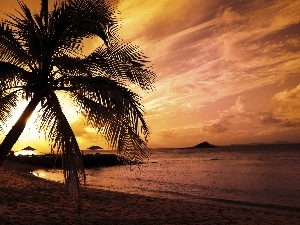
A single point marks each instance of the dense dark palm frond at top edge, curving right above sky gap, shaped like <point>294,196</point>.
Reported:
<point>73,20</point>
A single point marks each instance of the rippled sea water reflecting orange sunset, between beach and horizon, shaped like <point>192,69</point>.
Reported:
<point>246,174</point>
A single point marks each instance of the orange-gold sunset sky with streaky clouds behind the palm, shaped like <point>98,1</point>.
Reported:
<point>228,71</point>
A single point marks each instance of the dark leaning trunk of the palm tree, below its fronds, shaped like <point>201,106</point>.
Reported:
<point>16,131</point>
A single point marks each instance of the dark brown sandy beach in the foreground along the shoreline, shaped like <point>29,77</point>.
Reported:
<point>25,199</point>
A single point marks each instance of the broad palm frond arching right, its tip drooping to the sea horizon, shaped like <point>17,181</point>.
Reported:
<point>114,111</point>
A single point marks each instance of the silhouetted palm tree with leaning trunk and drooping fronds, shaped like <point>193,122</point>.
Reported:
<point>41,55</point>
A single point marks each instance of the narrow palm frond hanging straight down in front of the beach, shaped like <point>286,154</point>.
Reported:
<point>63,139</point>
